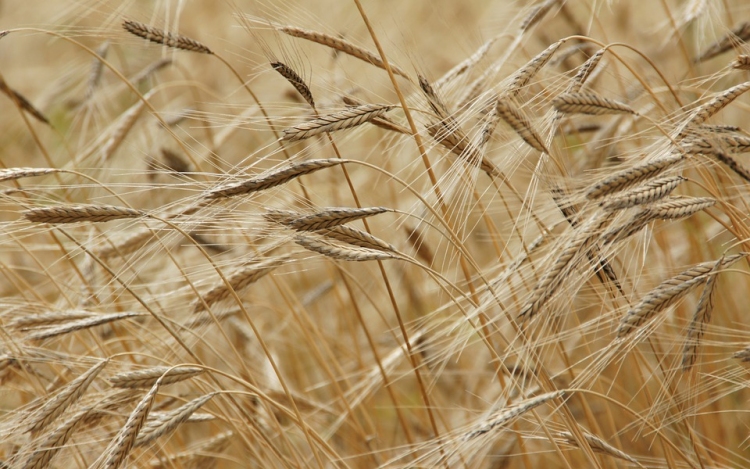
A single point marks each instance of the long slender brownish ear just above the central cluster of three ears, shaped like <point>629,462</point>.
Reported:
<point>273,178</point>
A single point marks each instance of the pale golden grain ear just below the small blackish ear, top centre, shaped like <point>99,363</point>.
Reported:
<point>346,119</point>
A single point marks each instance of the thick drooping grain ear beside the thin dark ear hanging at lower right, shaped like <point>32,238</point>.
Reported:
<point>669,292</point>
